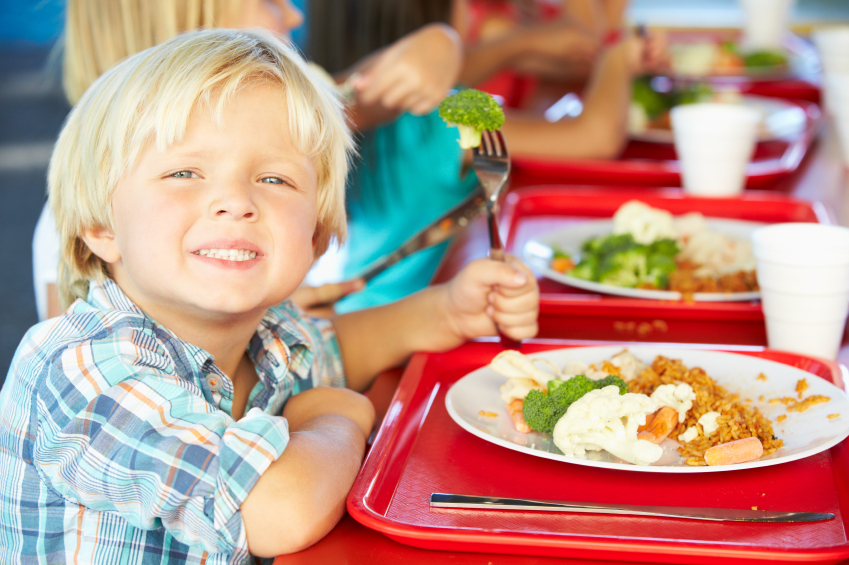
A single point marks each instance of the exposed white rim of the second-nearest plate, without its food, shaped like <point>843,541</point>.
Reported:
<point>537,254</point>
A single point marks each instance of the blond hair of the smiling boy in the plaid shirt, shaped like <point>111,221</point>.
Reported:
<point>149,98</point>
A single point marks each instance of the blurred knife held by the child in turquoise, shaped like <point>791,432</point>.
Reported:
<point>447,226</point>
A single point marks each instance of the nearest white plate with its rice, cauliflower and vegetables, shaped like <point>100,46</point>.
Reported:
<point>792,413</point>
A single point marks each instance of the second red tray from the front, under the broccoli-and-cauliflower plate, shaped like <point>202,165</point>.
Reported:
<point>572,313</point>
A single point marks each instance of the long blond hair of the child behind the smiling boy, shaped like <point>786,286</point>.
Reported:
<point>99,33</point>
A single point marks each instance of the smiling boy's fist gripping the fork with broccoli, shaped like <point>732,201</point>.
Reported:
<point>490,296</point>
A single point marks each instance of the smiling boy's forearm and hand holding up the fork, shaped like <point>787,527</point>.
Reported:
<point>483,298</point>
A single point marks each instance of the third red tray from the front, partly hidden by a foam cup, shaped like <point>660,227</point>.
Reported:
<point>655,164</point>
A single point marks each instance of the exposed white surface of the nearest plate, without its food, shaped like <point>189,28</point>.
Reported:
<point>804,434</point>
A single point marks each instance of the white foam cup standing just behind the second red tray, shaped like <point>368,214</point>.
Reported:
<point>714,143</point>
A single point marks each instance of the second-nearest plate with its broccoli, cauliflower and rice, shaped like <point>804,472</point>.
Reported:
<point>645,252</point>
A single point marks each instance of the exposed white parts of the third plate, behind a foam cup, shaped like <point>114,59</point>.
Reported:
<point>781,120</point>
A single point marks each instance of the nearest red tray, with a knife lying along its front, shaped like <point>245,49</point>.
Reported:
<point>420,450</point>
